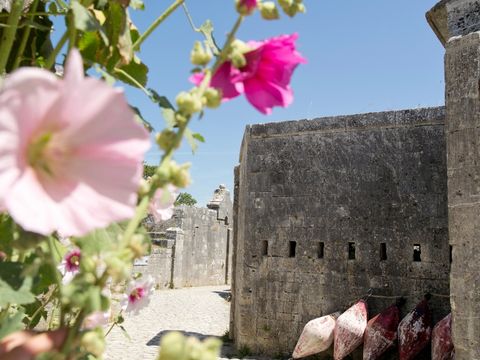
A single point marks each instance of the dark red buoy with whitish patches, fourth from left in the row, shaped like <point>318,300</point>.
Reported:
<point>414,331</point>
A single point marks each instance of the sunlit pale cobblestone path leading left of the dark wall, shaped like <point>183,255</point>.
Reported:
<point>200,311</point>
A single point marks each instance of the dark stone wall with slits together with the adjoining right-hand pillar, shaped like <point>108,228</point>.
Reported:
<point>328,210</point>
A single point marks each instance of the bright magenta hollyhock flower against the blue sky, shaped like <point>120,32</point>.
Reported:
<point>265,79</point>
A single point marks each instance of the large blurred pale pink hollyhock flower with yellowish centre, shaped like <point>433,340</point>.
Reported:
<point>71,151</point>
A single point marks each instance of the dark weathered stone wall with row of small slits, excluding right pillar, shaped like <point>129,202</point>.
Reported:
<point>328,209</point>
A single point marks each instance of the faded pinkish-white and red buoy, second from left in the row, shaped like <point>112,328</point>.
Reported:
<point>349,330</point>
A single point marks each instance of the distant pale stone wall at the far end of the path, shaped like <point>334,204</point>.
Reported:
<point>195,250</point>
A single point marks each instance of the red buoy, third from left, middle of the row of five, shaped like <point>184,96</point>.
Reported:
<point>381,333</point>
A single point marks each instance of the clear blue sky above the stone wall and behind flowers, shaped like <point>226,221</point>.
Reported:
<point>363,56</point>
